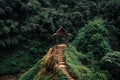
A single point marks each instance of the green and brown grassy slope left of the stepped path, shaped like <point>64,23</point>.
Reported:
<point>44,69</point>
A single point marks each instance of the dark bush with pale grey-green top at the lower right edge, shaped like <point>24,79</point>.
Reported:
<point>111,62</point>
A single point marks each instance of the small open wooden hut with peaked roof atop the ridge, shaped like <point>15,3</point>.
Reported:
<point>61,32</point>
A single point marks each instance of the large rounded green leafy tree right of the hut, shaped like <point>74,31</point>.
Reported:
<point>93,37</point>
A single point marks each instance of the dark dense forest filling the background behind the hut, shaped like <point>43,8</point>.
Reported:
<point>25,21</point>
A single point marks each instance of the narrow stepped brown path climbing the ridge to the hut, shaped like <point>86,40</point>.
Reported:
<point>62,63</point>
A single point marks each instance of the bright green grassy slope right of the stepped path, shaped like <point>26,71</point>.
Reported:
<point>78,70</point>
